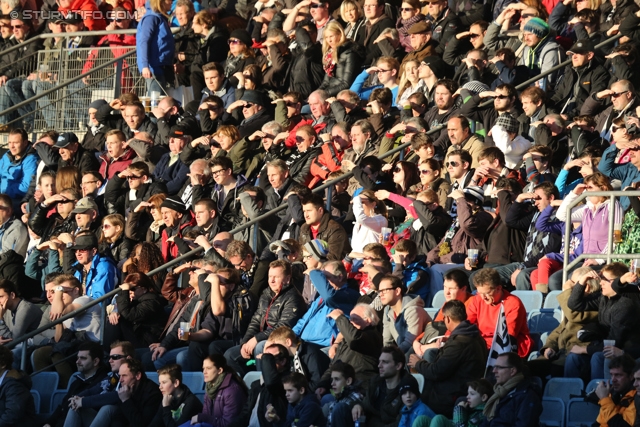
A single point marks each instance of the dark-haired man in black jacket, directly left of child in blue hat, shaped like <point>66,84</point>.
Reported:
<point>382,402</point>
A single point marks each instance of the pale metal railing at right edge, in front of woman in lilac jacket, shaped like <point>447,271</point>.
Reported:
<point>612,196</point>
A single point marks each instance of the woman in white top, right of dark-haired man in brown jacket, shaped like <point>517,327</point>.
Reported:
<point>371,217</point>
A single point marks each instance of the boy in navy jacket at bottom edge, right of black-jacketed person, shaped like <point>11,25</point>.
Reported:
<point>304,409</point>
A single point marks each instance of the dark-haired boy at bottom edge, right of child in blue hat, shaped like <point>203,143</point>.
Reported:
<point>469,412</point>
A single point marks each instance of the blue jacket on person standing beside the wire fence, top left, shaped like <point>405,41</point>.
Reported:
<point>154,42</point>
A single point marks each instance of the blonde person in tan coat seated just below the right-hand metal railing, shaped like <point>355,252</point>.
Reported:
<point>561,340</point>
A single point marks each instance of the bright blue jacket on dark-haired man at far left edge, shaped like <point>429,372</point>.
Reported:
<point>15,176</point>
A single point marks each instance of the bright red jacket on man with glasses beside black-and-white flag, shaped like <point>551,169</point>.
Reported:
<point>486,316</point>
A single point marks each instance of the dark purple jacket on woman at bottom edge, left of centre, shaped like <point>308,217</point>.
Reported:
<point>228,404</point>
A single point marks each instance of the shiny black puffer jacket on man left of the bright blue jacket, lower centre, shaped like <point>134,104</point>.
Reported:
<point>284,308</point>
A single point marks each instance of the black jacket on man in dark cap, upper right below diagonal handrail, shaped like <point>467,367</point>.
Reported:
<point>576,85</point>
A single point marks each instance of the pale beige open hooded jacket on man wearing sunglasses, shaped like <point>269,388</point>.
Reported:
<point>402,329</point>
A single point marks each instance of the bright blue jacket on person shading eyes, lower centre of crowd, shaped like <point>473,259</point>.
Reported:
<point>315,327</point>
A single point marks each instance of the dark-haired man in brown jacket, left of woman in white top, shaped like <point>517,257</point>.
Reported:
<point>319,225</point>
